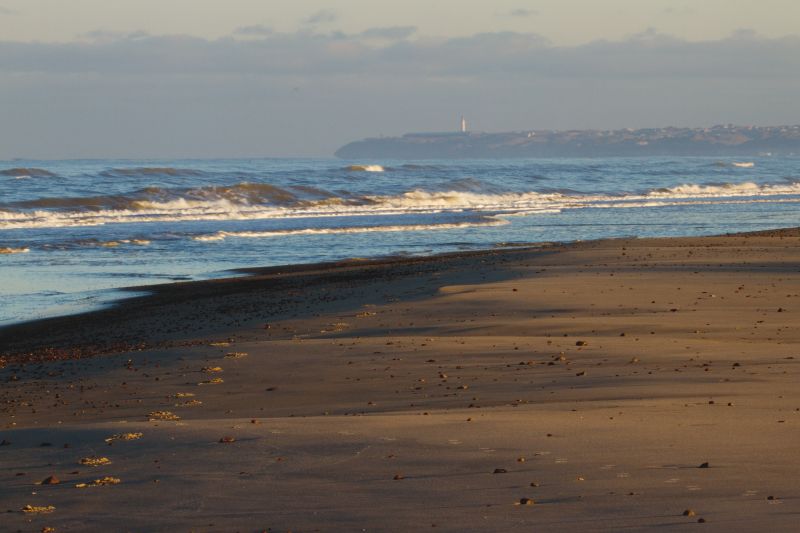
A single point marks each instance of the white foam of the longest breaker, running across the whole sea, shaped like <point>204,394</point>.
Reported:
<point>411,202</point>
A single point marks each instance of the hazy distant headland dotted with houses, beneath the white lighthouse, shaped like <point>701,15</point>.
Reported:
<point>715,141</point>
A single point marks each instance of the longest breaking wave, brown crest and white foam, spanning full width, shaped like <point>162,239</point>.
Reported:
<point>253,201</point>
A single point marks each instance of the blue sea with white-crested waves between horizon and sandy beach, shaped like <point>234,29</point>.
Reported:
<point>73,232</point>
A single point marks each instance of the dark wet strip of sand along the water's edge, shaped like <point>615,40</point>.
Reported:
<point>286,277</point>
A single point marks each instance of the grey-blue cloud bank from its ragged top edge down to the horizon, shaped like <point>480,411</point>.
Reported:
<point>260,92</point>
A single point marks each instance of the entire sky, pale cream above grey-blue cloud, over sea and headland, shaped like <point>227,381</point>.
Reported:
<point>253,78</point>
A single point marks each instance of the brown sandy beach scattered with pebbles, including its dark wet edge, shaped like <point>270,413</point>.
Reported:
<point>615,385</point>
